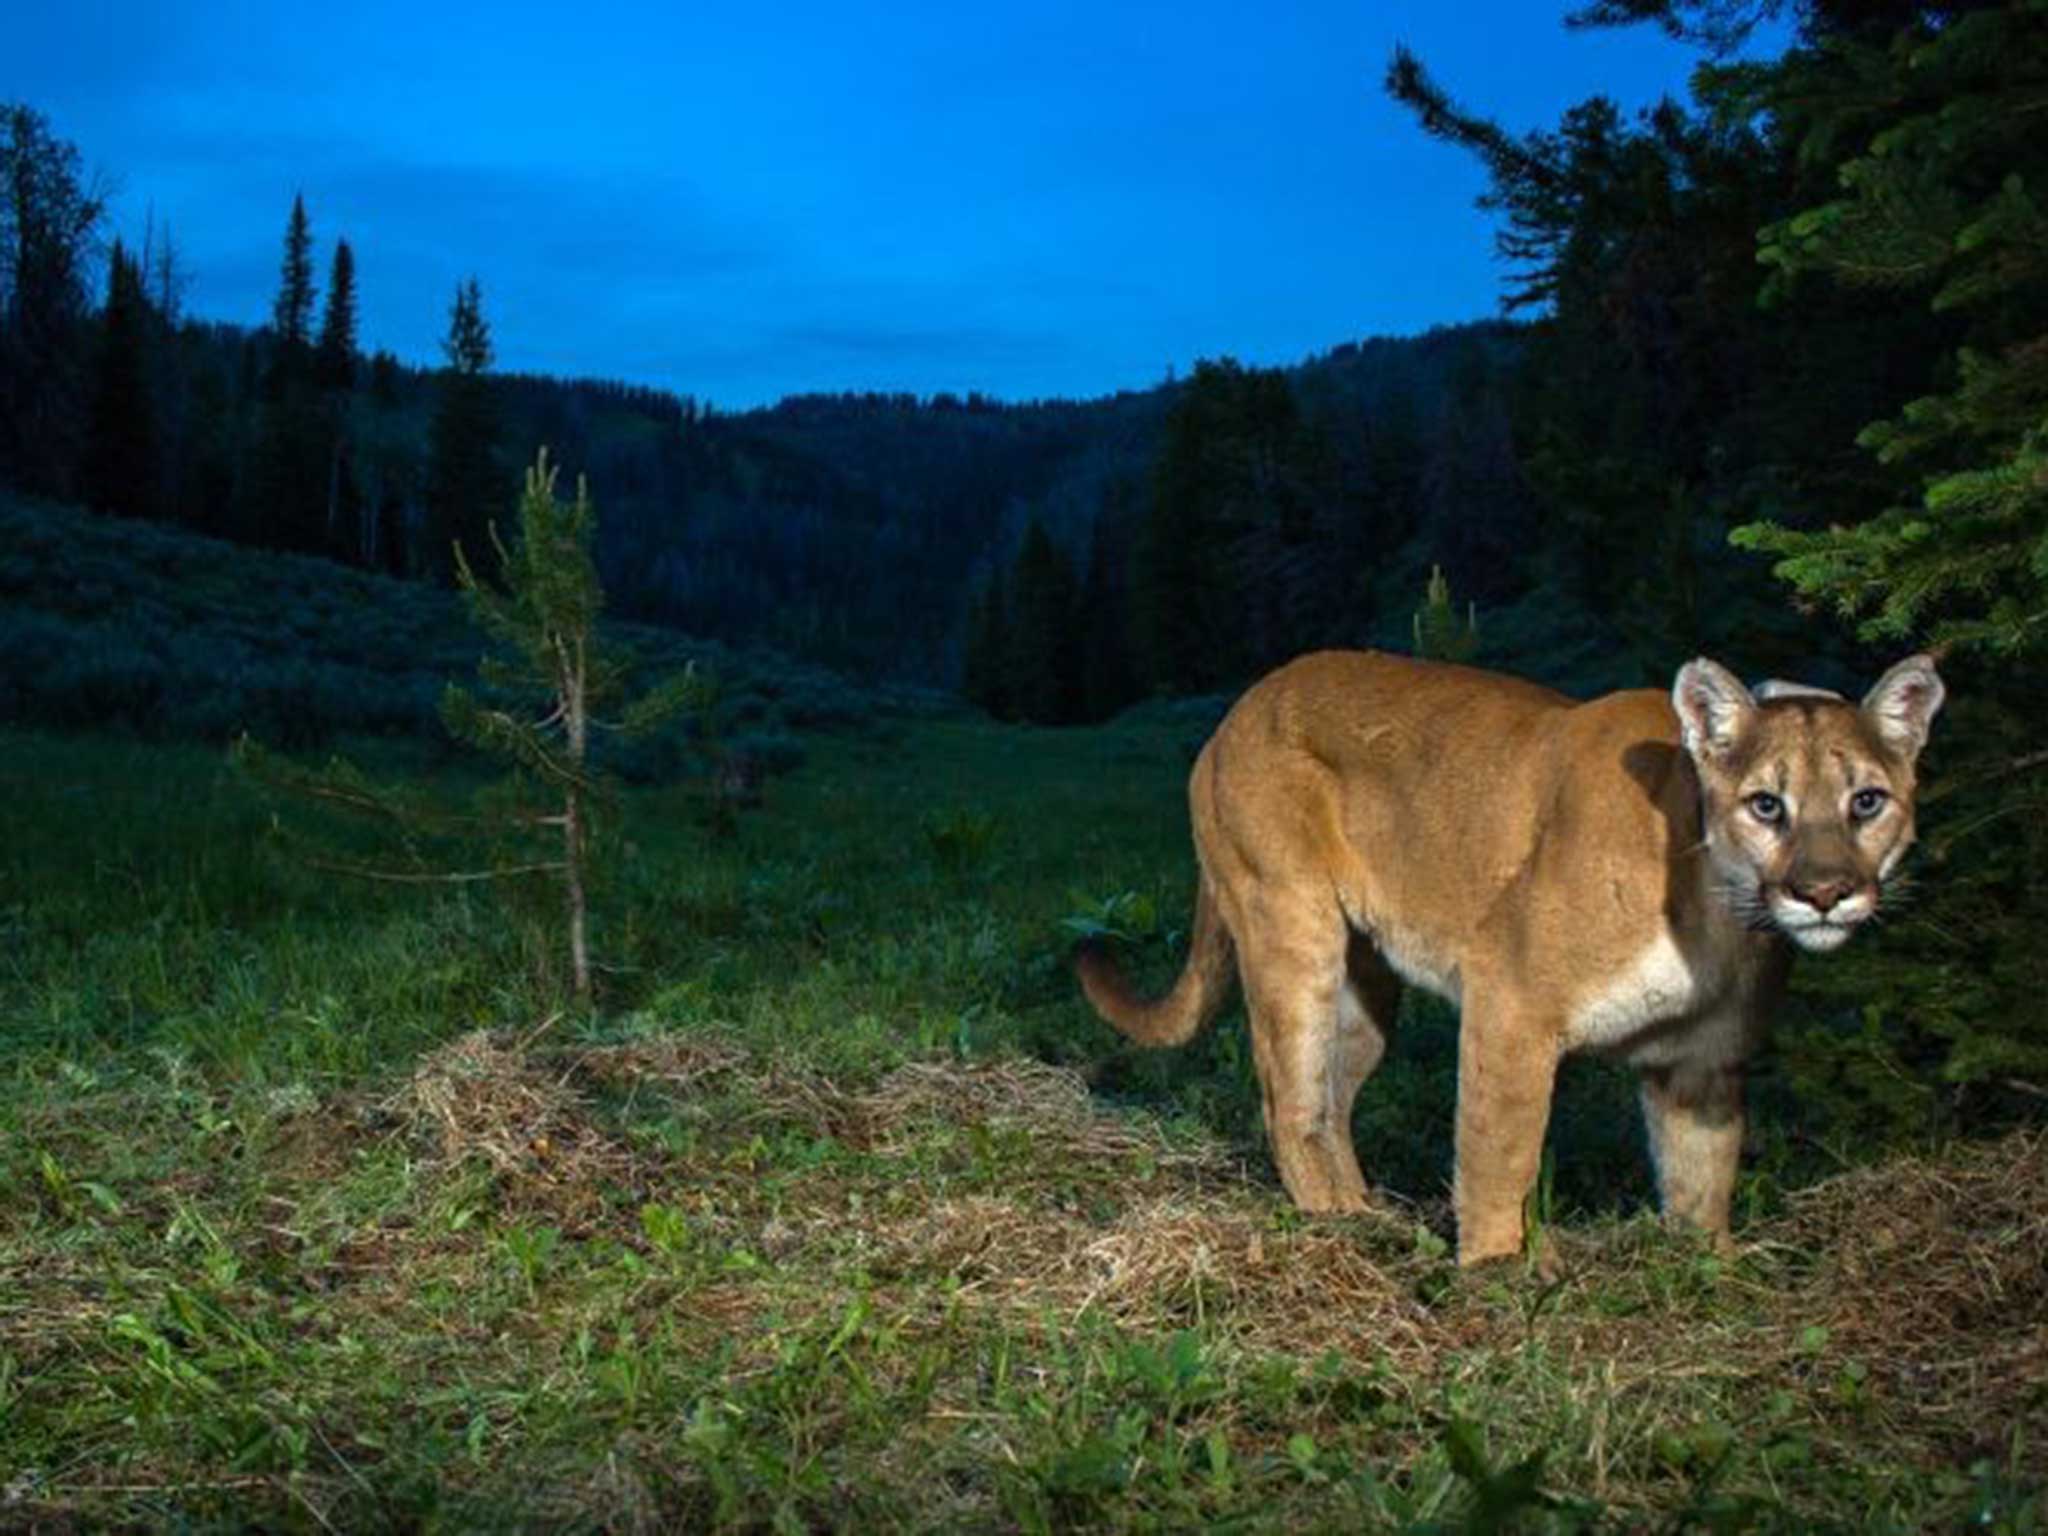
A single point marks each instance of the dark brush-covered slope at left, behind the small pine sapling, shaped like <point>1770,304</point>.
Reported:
<point>112,626</point>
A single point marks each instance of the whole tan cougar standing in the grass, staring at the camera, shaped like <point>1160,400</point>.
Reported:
<point>1576,876</point>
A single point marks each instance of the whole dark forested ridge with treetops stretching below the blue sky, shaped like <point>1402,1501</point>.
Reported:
<point>1205,527</point>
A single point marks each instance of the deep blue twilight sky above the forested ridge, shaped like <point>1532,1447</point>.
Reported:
<point>749,202</point>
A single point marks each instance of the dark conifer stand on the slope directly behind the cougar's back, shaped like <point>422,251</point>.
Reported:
<point>1273,511</point>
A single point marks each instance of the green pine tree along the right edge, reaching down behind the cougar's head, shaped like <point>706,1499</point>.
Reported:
<point>1914,146</point>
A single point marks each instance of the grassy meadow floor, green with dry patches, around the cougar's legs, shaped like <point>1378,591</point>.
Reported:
<point>318,1211</point>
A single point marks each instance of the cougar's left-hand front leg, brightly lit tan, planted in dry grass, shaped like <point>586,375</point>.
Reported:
<point>1506,1072</point>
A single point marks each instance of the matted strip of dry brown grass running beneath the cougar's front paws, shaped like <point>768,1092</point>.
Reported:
<point>1934,1271</point>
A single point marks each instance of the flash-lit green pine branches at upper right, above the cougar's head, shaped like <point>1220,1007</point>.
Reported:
<point>1940,179</point>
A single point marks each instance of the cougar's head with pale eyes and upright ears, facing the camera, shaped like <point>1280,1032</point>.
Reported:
<point>1807,798</point>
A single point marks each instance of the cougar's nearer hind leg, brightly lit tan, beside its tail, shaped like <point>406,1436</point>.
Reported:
<point>1293,966</point>
